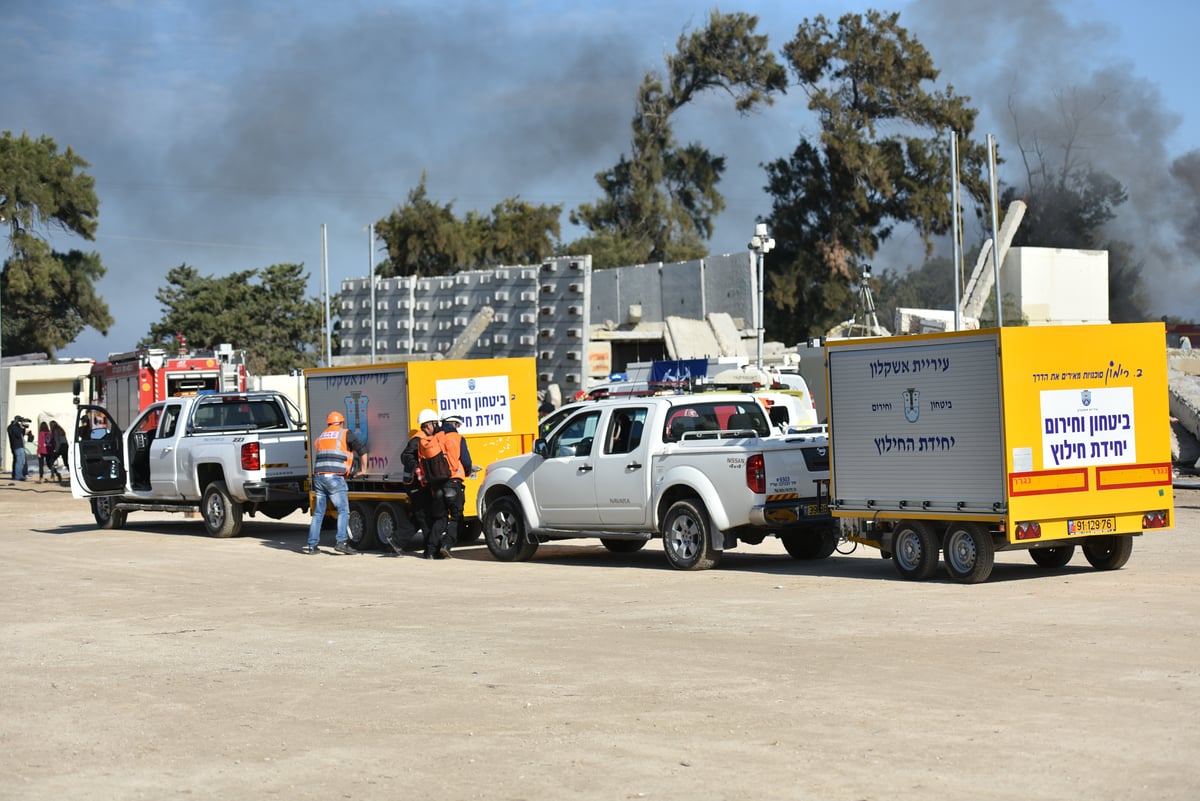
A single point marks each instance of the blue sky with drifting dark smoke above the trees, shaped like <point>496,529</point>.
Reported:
<point>225,134</point>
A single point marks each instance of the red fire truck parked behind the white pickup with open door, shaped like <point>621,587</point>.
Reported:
<point>129,383</point>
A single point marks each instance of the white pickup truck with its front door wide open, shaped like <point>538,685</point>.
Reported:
<point>223,455</point>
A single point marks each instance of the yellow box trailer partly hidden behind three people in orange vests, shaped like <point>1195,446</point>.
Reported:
<point>496,398</point>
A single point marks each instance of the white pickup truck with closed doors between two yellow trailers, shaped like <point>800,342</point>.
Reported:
<point>703,472</point>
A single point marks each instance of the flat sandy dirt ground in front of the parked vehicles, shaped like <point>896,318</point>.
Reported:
<point>155,663</point>
